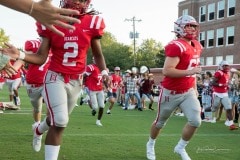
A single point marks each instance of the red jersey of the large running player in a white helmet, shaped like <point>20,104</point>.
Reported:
<point>189,56</point>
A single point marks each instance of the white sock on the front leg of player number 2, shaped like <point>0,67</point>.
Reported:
<point>51,152</point>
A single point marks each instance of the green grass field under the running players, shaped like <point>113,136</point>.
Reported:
<point>123,136</point>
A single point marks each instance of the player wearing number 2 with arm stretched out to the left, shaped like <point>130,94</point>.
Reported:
<point>63,79</point>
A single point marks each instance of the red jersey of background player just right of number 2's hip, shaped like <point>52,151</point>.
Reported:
<point>94,78</point>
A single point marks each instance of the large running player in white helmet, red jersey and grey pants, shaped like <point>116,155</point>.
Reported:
<point>179,85</point>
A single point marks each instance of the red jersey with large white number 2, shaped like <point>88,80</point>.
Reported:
<point>69,52</point>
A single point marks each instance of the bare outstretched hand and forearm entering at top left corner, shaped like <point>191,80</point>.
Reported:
<point>45,13</point>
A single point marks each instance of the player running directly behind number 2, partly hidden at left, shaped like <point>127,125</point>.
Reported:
<point>35,78</point>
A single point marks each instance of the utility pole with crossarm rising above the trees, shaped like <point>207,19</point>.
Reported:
<point>134,35</point>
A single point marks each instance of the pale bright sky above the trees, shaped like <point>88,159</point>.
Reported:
<point>156,20</point>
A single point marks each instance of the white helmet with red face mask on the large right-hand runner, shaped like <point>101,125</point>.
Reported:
<point>181,31</point>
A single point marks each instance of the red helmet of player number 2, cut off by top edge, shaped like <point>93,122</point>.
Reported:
<point>74,5</point>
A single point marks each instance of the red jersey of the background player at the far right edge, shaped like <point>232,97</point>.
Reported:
<point>223,78</point>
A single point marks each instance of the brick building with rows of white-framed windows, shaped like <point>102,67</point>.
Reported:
<point>219,28</point>
